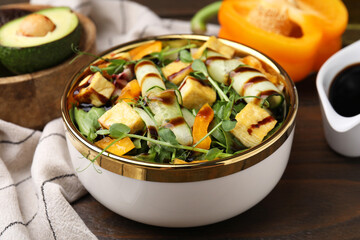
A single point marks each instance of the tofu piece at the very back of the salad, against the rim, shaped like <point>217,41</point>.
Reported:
<point>216,45</point>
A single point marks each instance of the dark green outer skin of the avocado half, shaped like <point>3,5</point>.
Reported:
<point>31,59</point>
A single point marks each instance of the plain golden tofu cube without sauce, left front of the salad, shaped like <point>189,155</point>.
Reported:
<point>122,113</point>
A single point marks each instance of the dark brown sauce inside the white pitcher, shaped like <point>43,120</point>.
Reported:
<point>344,93</point>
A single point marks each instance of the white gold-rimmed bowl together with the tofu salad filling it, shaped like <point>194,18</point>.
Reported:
<point>181,130</point>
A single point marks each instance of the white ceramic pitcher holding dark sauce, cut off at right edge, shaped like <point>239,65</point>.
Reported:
<point>341,133</point>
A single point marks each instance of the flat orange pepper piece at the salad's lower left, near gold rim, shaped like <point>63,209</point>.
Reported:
<point>119,148</point>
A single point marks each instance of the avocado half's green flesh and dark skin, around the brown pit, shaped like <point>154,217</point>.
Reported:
<point>25,54</point>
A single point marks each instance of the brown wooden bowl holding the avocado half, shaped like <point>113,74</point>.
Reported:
<point>32,100</point>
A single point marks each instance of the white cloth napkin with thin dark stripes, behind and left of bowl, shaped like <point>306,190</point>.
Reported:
<point>37,180</point>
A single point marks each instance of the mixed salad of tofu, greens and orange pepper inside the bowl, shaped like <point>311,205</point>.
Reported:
<point>178,104</point>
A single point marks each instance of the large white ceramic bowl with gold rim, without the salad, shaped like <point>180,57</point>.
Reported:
<point>190,194</point>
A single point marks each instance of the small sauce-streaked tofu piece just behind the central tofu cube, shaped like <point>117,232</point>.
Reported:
<point>176,71</point>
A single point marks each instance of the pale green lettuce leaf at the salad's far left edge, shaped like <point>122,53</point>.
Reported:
<point>87,121</point>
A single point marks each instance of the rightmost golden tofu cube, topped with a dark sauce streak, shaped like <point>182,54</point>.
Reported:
<point>253,124</point>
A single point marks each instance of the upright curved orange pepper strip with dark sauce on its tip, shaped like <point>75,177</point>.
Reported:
<point>201,124</point>
